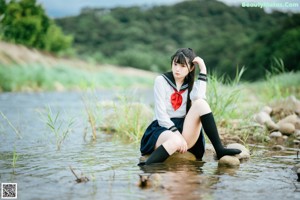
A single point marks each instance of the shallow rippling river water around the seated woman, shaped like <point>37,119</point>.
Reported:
<point>42,172</point>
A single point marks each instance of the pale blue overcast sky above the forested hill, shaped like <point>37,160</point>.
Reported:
<point>61,8</point>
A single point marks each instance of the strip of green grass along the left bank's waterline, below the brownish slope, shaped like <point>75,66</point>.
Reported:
<point>38,77</point>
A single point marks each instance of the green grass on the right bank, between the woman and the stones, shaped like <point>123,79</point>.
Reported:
<point>234,102</point>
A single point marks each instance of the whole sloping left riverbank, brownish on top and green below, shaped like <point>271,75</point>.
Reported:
<point>27,70</point>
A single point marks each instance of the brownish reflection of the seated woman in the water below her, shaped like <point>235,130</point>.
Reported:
<point>180,180</point>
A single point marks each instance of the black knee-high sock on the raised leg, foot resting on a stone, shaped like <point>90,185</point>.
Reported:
<point>210,128</point>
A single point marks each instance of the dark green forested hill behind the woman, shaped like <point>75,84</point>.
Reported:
<point>226,37</point>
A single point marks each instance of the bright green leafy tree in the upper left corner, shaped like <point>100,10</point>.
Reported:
<point>25,22</point>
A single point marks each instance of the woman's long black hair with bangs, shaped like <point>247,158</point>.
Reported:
<point>186,56</point>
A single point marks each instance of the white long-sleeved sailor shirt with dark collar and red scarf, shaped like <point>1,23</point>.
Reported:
<point>171,103</point>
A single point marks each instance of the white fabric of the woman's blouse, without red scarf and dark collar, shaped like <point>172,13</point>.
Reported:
<point>162,99</point>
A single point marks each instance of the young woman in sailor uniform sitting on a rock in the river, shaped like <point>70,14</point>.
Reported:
<point>180,113</point>
